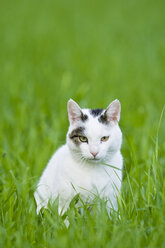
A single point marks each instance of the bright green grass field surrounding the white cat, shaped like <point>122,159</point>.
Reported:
<point>93,52</point>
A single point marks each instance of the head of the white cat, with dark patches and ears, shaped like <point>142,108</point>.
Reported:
<point>94,134</point>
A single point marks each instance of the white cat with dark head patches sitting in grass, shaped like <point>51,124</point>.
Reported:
<point>81,165</point>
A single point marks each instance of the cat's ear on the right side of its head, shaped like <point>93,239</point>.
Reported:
<point>112,113</point>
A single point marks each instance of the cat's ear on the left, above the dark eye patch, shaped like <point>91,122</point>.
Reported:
<point>74,111</point>
